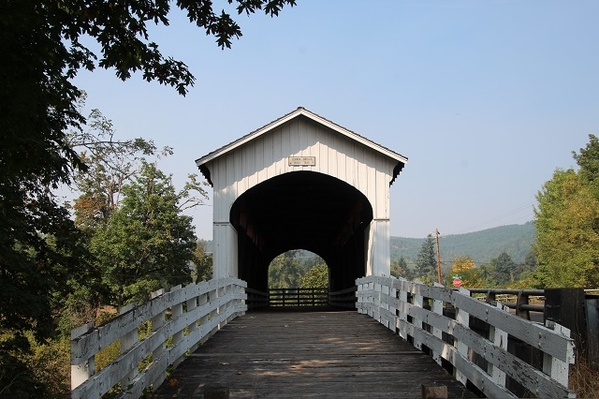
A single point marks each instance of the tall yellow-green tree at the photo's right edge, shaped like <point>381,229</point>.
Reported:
<point>567,221</point>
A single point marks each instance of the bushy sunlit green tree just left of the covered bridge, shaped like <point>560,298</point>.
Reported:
<point>148,244</point>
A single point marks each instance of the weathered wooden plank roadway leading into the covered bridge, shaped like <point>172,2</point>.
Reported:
<point>326,354</point>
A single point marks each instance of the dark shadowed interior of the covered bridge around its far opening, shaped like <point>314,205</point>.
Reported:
<point>306,210</point>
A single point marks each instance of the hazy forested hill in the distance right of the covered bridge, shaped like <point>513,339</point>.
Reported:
<point>482,246</point>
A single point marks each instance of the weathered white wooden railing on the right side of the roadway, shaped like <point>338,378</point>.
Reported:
<point>418,313</point>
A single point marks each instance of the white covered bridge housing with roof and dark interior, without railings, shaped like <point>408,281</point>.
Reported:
<point>301,182</point>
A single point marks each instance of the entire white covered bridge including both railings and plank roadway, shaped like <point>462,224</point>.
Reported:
<point>303,181</point>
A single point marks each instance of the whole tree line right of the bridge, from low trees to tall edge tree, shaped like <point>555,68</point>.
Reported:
<point>565,252</point>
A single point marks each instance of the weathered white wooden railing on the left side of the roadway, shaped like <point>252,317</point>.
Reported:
<point>180,320</point>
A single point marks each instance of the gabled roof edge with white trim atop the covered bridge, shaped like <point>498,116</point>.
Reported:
<point>300,111</point>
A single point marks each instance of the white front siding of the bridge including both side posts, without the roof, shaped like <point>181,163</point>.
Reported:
<point>266,156</point>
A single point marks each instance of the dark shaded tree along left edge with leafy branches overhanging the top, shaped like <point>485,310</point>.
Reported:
<point>44,44</point>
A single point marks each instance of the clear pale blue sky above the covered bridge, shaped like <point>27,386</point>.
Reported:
<point>485,98</point>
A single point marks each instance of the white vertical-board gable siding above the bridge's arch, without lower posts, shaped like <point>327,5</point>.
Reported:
<point>267,156</point>
